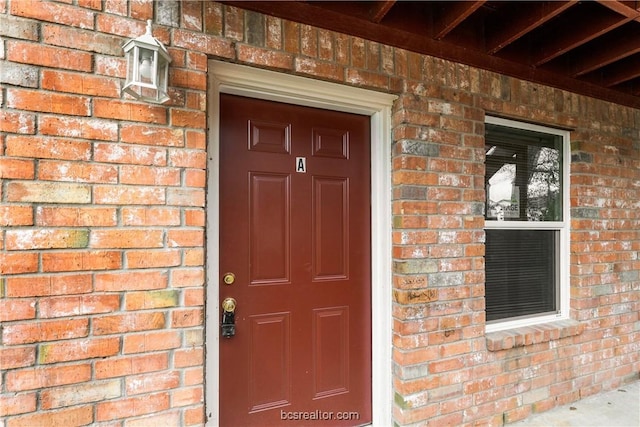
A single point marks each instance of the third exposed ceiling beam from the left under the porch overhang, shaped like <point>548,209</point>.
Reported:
<point>533,15</point>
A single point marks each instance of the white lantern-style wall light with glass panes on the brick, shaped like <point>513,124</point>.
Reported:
<point>147,68</point>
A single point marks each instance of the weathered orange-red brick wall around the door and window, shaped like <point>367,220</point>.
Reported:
<point>102,215</point>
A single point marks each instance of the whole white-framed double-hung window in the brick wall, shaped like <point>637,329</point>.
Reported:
<point>526,225</point>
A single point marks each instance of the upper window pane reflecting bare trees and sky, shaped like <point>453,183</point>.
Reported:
<point>523,175</point>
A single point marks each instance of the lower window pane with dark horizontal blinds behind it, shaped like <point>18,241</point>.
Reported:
<point>521,272</point>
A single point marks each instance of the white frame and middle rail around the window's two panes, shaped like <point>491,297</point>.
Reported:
<point>562,226</point>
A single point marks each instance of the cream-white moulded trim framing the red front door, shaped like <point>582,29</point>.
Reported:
<point>257,83</point>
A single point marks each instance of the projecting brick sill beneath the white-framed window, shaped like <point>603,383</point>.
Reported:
<point>535,334</point>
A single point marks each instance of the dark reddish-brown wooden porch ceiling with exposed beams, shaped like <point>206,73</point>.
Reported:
<point>587,47</point>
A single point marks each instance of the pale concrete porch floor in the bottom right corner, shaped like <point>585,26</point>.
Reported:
<point>619,407</point>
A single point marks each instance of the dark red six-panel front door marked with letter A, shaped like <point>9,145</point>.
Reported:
<point>295,234</point>
